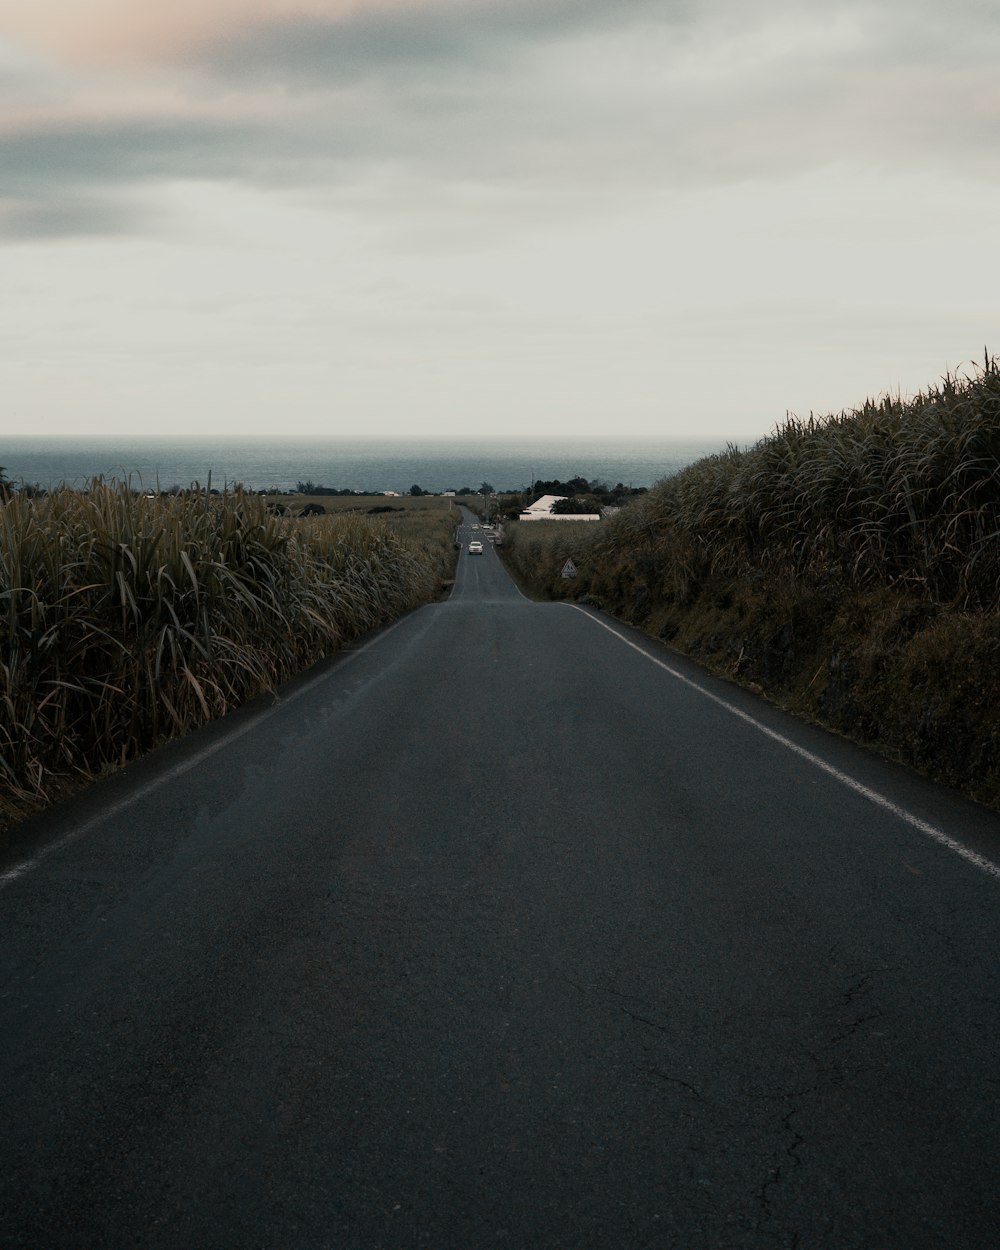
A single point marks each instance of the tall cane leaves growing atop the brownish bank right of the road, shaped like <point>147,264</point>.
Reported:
<point>898,493</point>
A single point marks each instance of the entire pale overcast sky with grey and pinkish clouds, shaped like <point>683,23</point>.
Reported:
<point>506,217</point>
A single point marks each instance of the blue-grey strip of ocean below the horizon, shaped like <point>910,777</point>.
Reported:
<point>438,464</point>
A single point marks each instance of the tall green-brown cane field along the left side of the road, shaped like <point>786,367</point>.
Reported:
<point>127,621</point>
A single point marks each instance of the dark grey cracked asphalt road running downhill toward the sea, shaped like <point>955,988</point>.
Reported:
<point>508,929</point>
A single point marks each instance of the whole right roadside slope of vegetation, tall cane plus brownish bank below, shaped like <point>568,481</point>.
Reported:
<point>848,567</point>
